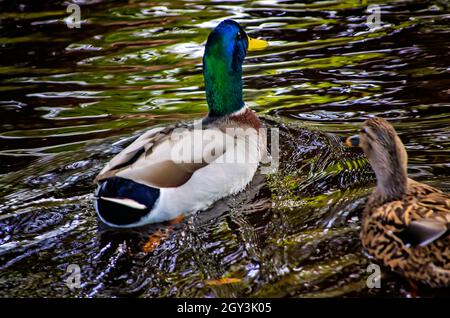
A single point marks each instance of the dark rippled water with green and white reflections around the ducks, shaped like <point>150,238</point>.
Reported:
<point>71,98</point>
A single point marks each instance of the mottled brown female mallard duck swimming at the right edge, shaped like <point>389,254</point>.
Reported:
<point>405,223</point>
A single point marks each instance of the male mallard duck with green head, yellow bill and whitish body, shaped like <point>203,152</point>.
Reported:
<point>168,172</point>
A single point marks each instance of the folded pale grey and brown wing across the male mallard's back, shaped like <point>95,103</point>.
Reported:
<point>166,157</point>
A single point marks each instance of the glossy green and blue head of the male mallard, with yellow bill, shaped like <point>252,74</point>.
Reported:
<point>225,51</point>
